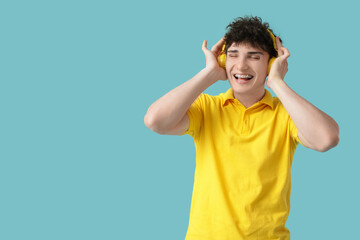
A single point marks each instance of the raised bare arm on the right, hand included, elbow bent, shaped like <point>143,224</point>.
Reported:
<point>316,129</point>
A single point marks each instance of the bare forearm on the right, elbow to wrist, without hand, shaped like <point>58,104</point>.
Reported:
<point>315,126</point>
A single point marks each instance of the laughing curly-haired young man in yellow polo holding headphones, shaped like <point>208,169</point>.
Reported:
<point>245,138</point>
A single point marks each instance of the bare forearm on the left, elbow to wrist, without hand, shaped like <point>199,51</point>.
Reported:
<point>168,110</point>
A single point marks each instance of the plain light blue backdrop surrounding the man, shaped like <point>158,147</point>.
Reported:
<point>77,77</point>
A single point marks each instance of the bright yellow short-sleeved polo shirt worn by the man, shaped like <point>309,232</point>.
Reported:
<point>242,177</point>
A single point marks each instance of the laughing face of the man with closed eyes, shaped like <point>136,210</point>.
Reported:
<point>246,68</point>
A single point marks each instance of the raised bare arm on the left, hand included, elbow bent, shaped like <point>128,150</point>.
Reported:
<point>168,114</point>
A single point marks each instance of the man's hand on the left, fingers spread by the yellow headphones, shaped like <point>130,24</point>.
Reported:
<point>212,56</point>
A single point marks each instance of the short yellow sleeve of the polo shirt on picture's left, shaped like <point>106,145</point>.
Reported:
<point>196,114</point>
